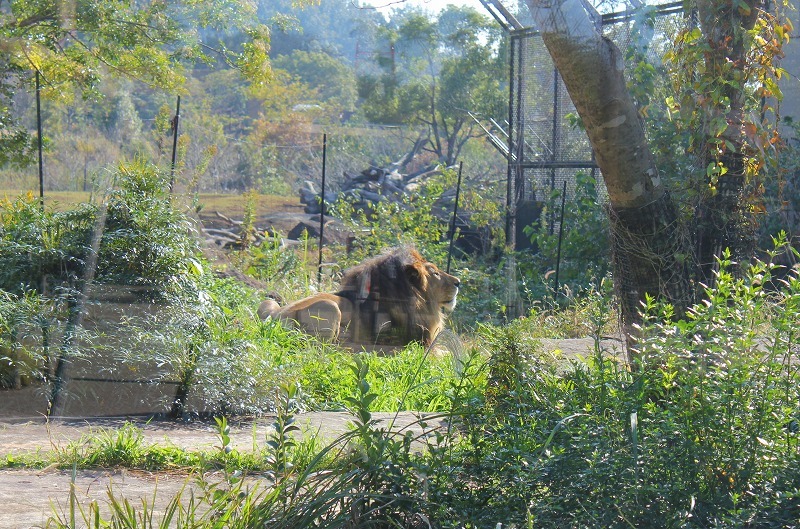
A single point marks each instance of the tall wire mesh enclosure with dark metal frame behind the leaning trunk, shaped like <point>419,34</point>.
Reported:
<point>546,146</point>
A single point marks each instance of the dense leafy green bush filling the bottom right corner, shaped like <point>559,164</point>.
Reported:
<point>702,434</point>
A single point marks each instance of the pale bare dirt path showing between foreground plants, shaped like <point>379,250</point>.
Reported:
<point>29,497</point>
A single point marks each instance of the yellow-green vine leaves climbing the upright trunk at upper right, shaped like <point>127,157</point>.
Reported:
<point>723,74</point>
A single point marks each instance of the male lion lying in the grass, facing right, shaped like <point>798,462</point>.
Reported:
<point>394,298</point>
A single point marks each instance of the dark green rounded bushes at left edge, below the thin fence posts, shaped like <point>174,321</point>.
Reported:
<point>143,239</point>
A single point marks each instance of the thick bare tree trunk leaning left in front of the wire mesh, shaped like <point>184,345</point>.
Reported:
<point>650,255</point>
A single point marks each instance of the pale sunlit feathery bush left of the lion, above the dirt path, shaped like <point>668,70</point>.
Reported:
<point>211,343</point>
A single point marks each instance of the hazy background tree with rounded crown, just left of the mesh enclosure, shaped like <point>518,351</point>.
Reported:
<point>441,69</point>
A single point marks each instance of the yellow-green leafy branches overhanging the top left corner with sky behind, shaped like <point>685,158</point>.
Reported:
<point>77,42</point>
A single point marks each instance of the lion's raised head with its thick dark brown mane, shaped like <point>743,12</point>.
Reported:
<point>399,294</point>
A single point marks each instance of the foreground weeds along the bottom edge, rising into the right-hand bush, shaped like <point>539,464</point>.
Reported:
<point>700,432</point>
